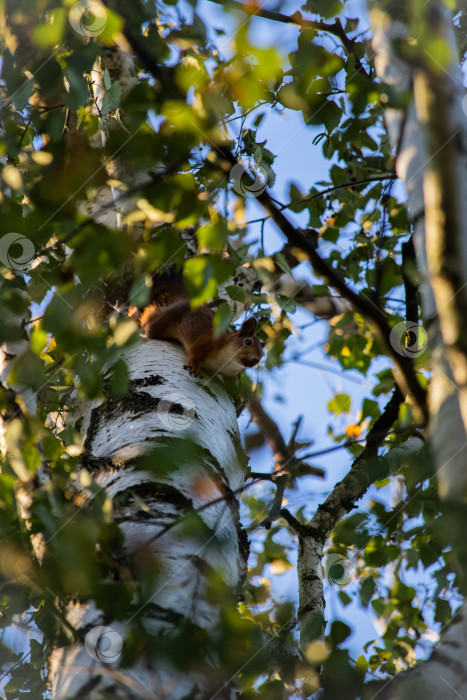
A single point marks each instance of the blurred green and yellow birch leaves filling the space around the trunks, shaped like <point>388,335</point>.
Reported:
<point>189,98</point>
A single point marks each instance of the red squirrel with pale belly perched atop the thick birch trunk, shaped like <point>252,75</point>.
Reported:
<point>170,317</point>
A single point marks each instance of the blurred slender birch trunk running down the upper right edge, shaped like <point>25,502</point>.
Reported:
<point>414,157</point>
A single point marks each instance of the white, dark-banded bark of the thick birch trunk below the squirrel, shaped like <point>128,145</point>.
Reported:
<point>164,402</point>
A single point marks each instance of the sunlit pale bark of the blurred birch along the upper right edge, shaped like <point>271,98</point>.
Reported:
<point>416,155</point>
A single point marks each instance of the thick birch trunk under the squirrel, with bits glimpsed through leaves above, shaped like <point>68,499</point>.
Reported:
<point>168,456</point>
